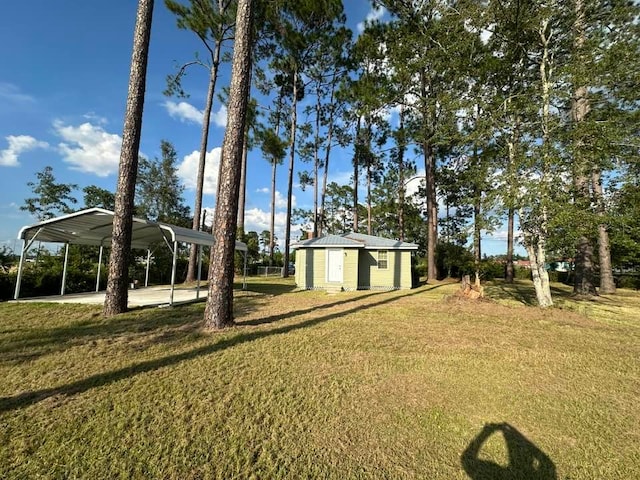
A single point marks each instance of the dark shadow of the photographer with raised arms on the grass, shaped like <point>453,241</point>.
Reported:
<point>526,461</point>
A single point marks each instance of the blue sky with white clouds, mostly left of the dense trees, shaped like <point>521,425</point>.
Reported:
<point>63,87</point>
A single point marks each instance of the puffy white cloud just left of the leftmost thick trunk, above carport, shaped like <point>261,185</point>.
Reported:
<point>89,148</point>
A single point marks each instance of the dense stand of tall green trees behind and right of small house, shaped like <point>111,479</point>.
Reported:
<point>516,113</point>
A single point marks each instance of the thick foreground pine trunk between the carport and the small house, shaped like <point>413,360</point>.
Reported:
<point>218,312</point>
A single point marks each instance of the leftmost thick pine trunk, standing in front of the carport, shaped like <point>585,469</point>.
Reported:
<point>116,296</point>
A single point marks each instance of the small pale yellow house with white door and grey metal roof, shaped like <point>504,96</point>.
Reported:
<point>353,261</point>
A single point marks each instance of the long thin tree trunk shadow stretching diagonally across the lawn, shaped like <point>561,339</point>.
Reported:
<point>29,398</point>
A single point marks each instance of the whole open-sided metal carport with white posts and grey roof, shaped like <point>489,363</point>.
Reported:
<point>93,227</point>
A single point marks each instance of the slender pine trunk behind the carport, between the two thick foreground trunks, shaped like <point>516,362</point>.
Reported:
<point>204,139</point>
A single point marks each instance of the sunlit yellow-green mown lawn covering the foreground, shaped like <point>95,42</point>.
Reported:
<point>355,385</point>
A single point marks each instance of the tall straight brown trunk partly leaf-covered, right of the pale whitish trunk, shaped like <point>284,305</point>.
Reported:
<point>583,281</point>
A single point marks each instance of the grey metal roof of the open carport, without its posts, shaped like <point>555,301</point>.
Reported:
<point>93,226</point>
